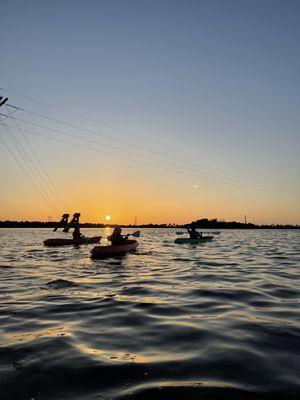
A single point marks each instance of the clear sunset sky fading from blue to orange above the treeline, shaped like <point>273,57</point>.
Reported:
<point>168,111</point>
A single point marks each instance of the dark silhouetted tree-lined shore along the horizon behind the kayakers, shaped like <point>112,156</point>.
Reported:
<point>200,224</point>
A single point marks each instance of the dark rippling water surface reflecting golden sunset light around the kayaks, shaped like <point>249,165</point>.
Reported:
<point>219,320</point>
